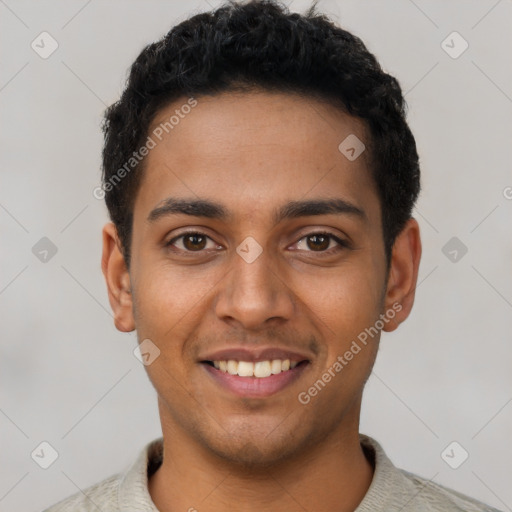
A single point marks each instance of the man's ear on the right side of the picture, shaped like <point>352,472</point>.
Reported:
<point>403,274</point>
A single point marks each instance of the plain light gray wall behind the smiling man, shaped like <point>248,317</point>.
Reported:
<point>69,378</point>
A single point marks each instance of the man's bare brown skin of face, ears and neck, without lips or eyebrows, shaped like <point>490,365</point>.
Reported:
<point>252,153</point>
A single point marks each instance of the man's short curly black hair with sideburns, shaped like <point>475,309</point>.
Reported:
<point>261,45</point>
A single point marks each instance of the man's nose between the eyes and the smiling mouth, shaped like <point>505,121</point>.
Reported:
<point>254,294</point>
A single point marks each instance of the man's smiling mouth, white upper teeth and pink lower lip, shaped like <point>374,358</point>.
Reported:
<point>254,379</point>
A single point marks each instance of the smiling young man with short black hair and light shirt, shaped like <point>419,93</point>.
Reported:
<point>260,177</point>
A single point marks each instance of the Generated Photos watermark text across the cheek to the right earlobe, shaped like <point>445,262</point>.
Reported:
<point>304,397</point>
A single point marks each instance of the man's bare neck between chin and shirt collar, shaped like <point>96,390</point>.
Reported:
<point>332,476</point>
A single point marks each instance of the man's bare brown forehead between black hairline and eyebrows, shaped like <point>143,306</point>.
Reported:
<point>253,152</point>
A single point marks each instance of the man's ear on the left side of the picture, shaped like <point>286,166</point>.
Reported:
<point>117,278</point>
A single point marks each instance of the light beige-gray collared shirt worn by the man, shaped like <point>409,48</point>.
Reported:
<point>391,490</point>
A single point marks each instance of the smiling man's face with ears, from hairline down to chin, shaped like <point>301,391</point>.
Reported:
<point>278,262</point>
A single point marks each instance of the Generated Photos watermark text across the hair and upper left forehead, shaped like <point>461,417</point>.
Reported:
<point>153,139</point>
